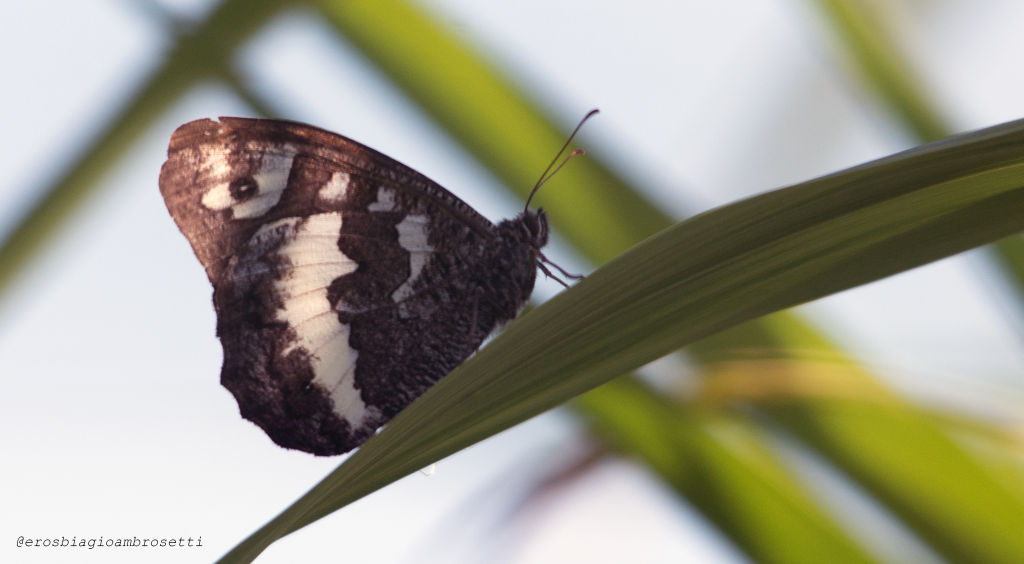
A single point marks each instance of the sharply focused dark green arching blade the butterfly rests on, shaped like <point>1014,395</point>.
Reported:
<point>700,277</point>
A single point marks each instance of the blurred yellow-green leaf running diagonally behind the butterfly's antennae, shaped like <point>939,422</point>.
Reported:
<point>494,120</point>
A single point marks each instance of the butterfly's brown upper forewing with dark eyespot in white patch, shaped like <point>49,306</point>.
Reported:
<point>224,161</point>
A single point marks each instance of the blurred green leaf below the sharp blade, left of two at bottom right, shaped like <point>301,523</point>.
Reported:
<point>711,457</point>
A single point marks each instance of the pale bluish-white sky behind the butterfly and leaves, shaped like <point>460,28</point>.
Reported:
<point>113,421</point>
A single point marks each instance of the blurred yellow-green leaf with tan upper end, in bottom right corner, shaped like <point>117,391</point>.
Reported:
<point>965,503</point>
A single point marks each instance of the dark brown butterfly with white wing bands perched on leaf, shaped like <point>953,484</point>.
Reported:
<point>346,283</point>
